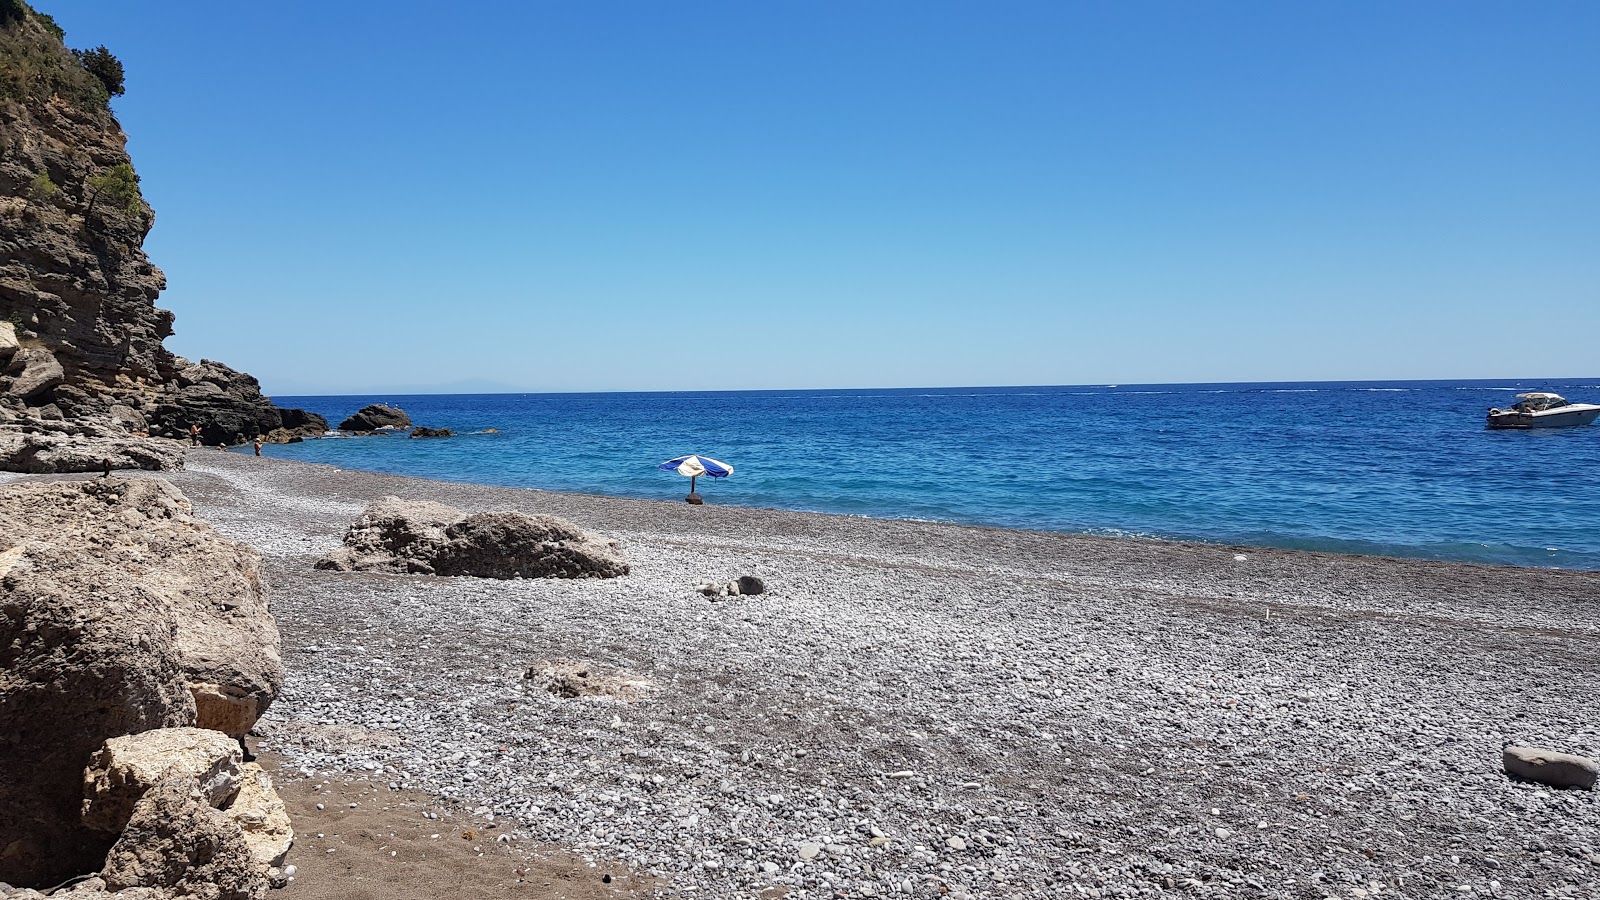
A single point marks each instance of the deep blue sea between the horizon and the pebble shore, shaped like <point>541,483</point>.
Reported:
<point>1401,468</point>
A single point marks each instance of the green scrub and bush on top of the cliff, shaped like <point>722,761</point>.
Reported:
<point>38,66</point>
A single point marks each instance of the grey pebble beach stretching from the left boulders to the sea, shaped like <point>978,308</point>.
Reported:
<point>927,710</point>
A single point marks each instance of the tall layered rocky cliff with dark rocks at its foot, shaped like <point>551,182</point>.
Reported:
<point>81,335</point>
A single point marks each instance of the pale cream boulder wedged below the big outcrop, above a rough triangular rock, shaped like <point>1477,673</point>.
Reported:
<point>127,768</point>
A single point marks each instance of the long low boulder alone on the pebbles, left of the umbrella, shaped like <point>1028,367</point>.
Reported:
<point>431,539</point>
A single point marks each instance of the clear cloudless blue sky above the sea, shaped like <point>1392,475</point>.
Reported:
<point>593,196</point>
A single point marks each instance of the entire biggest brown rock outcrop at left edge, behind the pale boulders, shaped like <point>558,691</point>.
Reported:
<point>118,611</point>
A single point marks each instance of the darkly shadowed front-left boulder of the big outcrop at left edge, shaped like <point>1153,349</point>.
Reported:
<point>87,654</point>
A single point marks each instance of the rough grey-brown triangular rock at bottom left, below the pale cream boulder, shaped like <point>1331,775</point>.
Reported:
<point>175,842</point>
